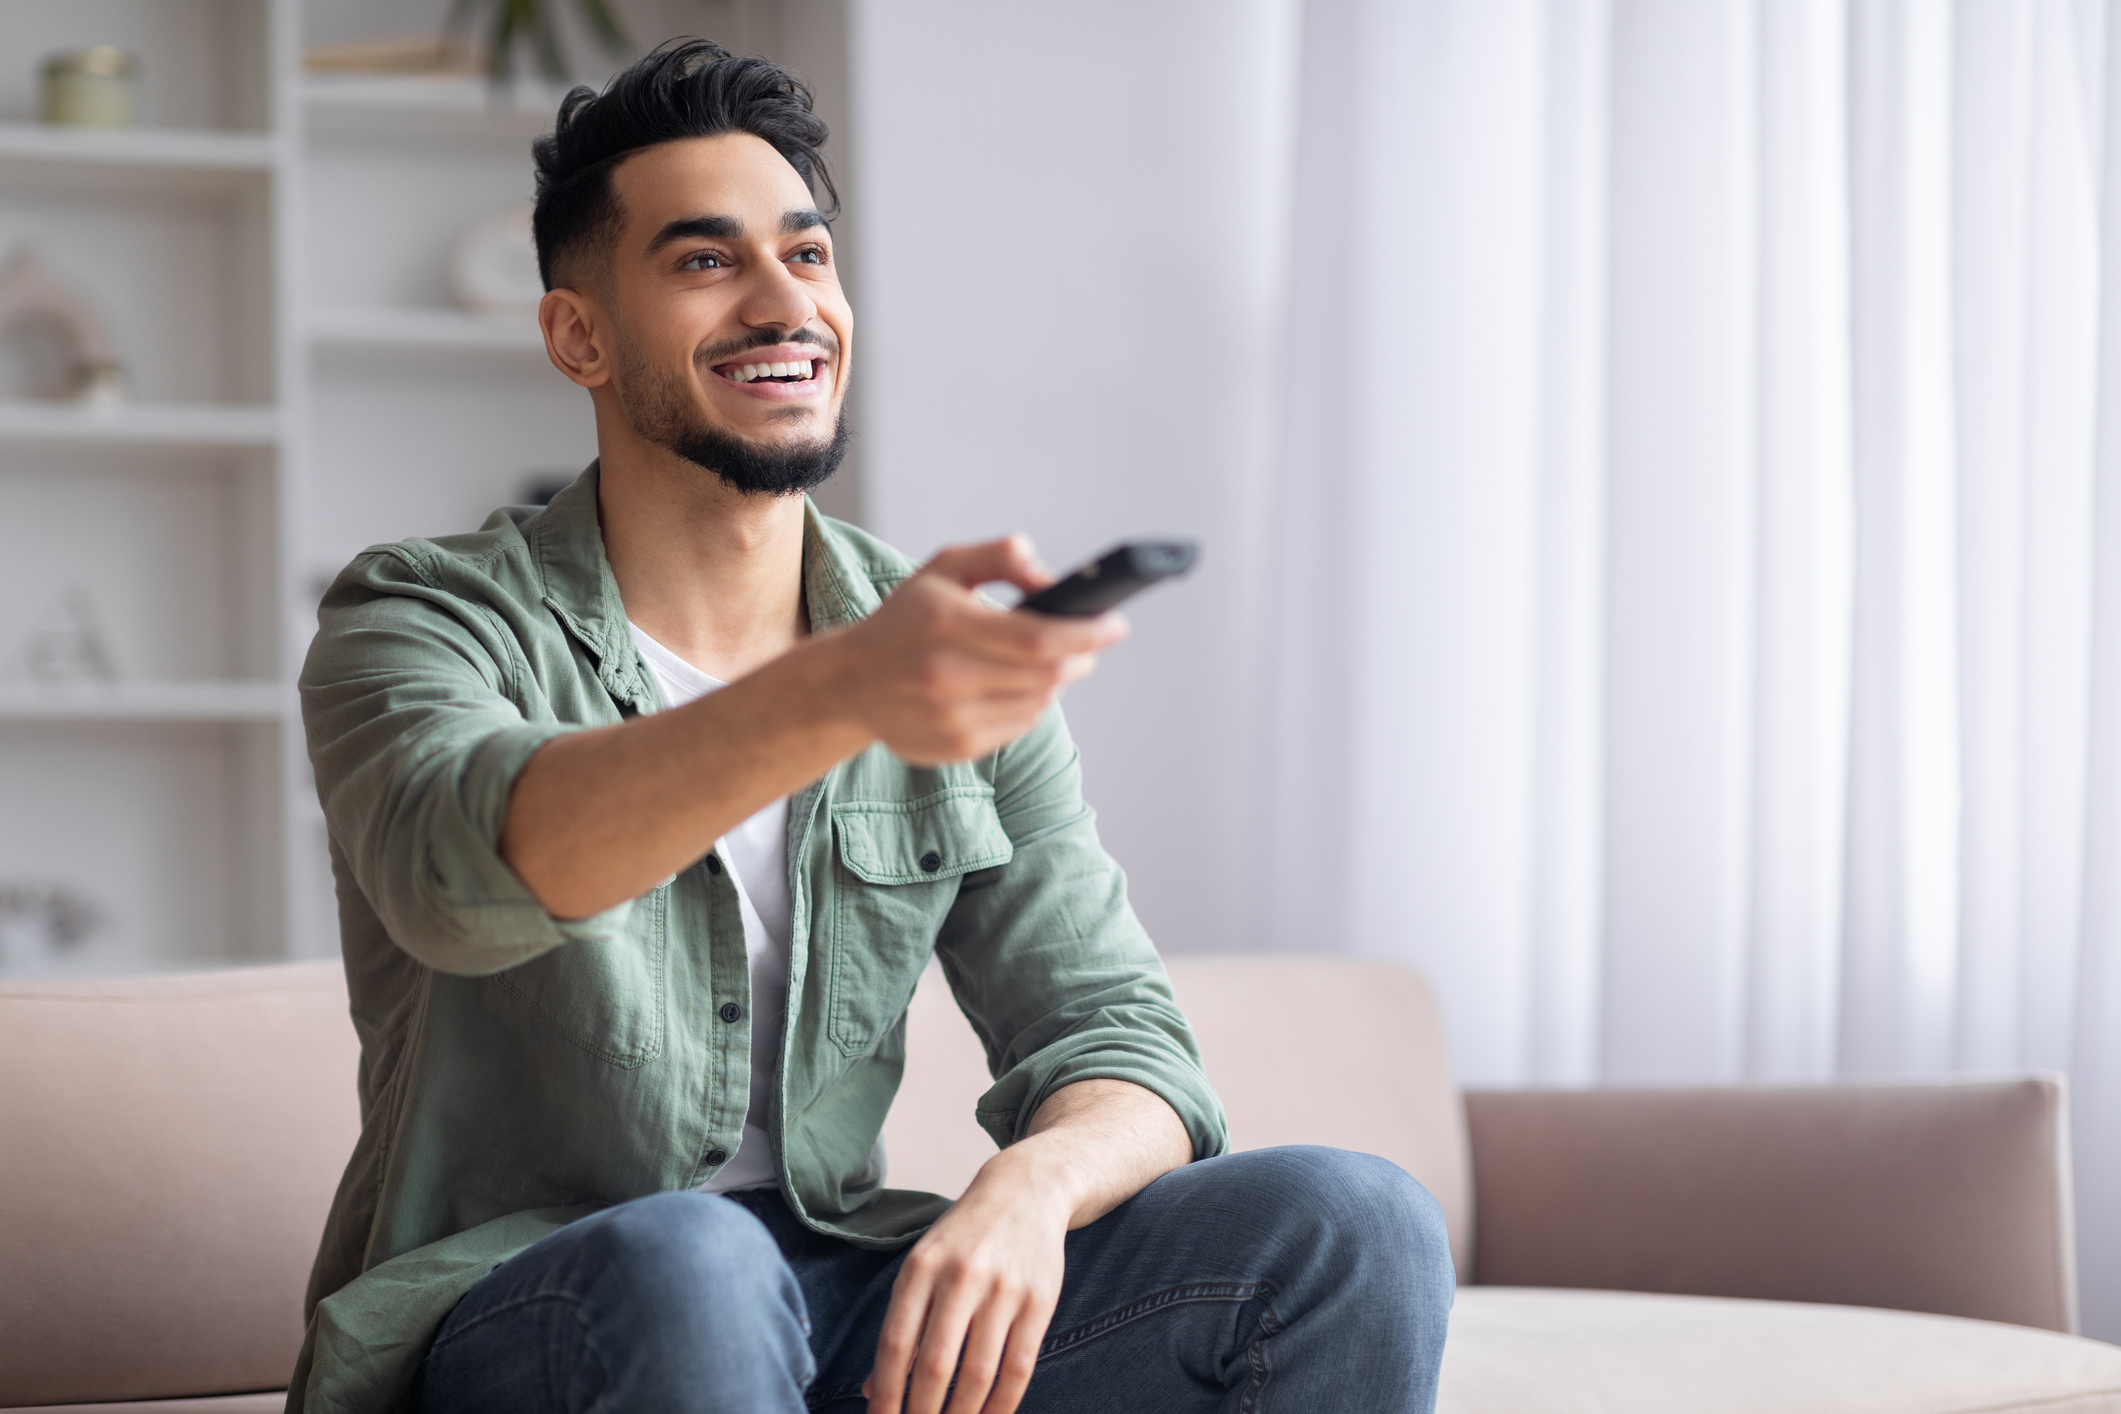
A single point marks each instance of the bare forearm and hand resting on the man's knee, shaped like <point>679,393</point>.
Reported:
<point>985,1279</point>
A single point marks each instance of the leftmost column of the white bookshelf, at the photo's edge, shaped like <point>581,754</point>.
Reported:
<point>162,798</point>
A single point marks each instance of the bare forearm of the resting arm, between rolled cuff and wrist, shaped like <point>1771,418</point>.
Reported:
<point>1093,1146</point>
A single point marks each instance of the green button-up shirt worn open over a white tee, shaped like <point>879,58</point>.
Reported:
<point>519,1072</point>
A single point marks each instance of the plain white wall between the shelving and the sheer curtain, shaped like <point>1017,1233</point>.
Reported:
<point>1070,264</point>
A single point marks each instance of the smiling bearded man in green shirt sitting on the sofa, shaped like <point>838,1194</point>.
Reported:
<point>648,813</point>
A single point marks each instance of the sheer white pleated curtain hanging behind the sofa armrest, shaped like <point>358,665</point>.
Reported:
<point>1700,578</point>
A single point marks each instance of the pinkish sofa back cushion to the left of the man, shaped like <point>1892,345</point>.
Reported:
<point>173,1146</point>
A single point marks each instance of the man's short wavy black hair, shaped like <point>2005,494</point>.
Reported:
<point>682,90</point>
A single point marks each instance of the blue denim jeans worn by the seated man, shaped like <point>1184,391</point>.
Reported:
<point>1280,1282</point>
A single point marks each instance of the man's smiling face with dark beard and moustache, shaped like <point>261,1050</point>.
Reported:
<point>735,332</point>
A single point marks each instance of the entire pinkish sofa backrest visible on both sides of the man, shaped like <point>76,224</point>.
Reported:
<point>169,1146</point>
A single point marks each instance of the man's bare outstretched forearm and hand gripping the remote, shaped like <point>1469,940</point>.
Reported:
<point>939,675</point>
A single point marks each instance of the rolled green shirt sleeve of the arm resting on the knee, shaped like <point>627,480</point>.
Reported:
<point>1051,966</point>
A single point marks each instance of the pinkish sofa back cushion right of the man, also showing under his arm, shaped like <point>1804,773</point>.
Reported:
<point>1301,1050</point>
